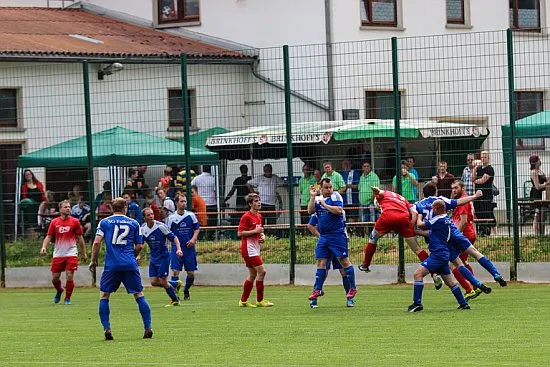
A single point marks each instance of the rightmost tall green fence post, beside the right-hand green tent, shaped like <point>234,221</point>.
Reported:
<point>514,173</point>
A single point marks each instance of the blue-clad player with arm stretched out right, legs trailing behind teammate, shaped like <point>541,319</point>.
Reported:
<point>458,241</point>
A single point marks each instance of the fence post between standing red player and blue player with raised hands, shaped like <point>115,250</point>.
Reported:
<point>289,159</point>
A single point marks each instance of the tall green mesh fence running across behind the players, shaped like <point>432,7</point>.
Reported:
<point>453,93</point>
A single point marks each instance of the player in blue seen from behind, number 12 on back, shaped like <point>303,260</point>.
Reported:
<point>123,242</point>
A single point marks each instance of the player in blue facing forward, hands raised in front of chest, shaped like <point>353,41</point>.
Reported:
<point>329,208</point>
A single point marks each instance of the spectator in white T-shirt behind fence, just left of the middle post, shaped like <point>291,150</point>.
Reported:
<point>266,186</point>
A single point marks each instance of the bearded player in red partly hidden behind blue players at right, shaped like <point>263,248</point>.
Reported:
<point>463,218</point>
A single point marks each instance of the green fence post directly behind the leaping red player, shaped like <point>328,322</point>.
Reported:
<point>397,129</point>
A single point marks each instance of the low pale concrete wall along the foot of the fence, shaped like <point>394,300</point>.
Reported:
<point>277,274</point>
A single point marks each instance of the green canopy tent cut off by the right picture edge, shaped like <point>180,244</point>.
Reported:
<point>534,126</point>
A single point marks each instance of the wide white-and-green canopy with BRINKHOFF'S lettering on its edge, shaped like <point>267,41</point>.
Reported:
<point>308,135</point>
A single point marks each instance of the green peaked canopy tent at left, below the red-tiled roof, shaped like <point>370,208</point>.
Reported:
<point>113,148</point>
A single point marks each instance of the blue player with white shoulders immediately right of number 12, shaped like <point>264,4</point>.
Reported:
<point>156,233</point>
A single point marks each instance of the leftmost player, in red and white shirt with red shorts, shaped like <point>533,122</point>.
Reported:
<point>67,231</point>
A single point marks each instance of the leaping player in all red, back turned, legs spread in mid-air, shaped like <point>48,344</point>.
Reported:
<point>395,217</point>
